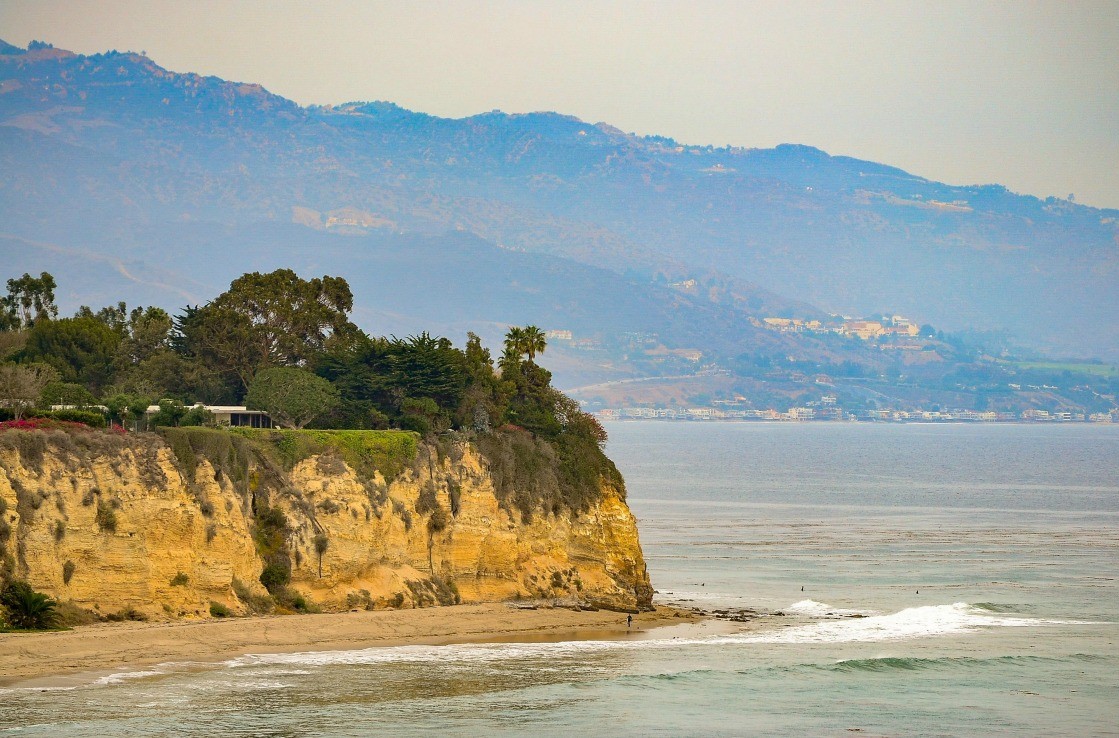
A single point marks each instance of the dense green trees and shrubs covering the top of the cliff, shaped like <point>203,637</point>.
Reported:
<point>286,345</point>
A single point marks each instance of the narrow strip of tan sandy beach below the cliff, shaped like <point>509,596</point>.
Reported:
<point>67,658</point>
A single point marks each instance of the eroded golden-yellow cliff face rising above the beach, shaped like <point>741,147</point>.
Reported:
<point>121,525</point>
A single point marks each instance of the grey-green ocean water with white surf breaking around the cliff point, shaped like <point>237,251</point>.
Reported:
<point>901,580</point>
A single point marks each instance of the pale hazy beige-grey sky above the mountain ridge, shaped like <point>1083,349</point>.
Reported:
<point>1026,94</point>
